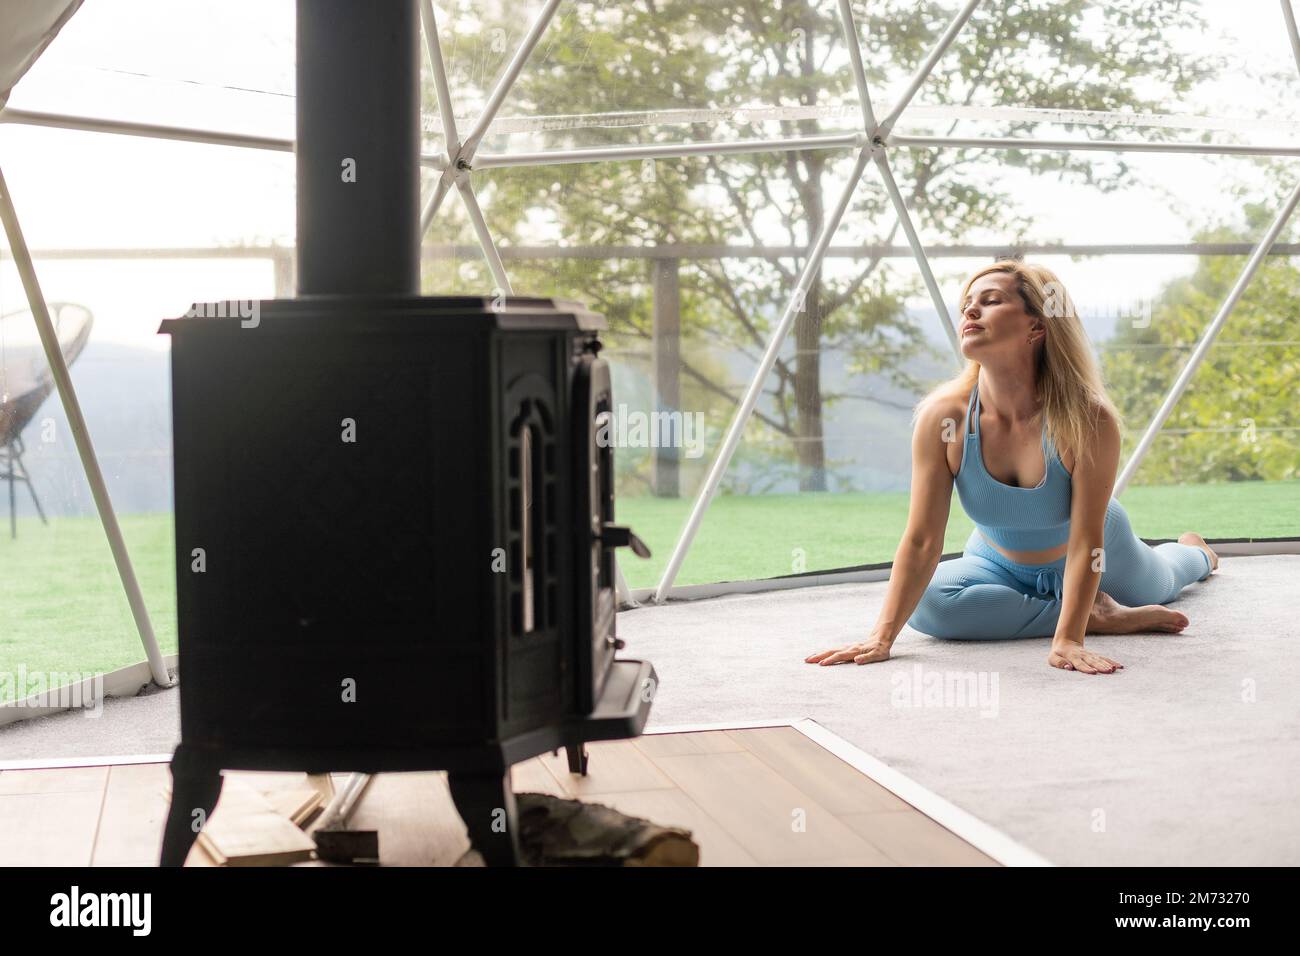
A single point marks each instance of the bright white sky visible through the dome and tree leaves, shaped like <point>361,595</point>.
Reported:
<point>229,66</point>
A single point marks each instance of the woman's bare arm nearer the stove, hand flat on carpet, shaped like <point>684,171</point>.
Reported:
<point>922,543</point>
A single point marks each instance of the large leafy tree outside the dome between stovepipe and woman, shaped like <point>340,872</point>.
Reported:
<point>653,54</point>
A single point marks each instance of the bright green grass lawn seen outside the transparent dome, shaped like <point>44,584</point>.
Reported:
<point>63,609</point>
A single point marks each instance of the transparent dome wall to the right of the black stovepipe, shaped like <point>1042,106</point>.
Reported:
<point>695,258</point>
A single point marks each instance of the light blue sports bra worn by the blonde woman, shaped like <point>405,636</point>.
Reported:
<point>1029,520</point>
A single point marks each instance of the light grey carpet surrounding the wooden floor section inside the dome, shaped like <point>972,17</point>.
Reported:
<point>1190,756</point>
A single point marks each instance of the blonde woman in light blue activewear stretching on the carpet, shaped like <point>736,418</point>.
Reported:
<point>1030,439</point>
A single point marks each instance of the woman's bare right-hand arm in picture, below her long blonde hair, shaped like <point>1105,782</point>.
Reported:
<point>1091,485</point>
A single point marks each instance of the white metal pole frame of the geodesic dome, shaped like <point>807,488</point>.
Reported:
<point>37,21</point>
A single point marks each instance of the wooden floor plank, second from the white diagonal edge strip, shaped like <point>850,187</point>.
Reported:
<point>770,817</point>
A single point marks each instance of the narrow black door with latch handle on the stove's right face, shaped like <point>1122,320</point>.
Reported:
<point>593,491</point>
